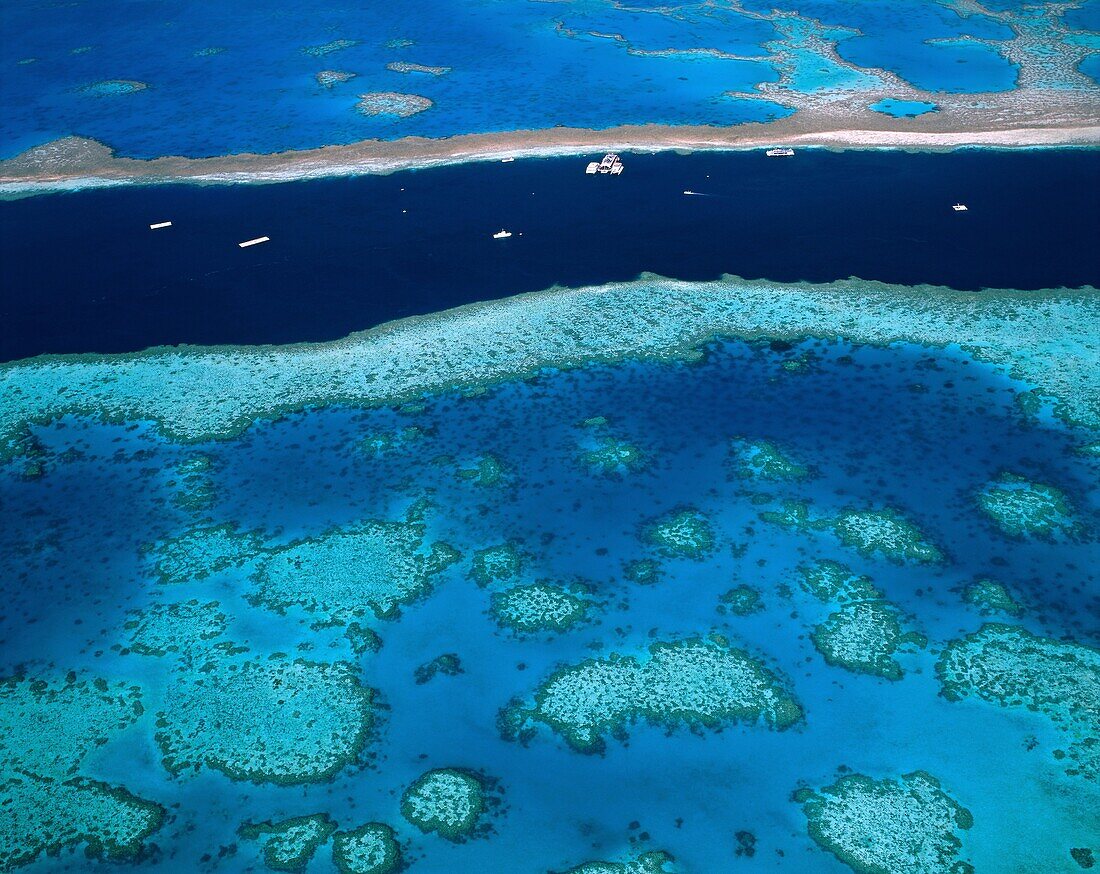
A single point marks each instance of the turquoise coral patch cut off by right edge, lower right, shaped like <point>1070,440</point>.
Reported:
<point>1013,668</point>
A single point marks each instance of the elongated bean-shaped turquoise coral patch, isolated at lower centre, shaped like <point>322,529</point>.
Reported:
<point>692,682</point>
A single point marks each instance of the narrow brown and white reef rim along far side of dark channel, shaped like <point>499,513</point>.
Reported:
<point>78,163</point>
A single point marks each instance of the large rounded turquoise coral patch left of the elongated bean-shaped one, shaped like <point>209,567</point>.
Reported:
<point>269,722</point>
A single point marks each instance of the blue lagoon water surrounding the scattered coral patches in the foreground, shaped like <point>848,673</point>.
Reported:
<point>915,429</point>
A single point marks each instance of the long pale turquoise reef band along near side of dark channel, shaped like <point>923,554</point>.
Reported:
<point>193,395</point>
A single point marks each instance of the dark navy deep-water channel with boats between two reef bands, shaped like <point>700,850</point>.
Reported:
<point>83,272</point>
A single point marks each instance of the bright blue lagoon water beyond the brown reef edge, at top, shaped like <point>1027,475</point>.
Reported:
<point>166,78</point>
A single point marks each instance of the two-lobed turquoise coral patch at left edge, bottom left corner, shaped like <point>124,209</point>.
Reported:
<point>48,728</point>
